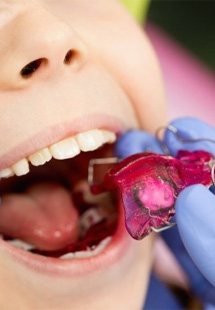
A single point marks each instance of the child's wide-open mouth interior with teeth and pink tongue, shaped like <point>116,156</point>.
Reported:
<point>47,208</point>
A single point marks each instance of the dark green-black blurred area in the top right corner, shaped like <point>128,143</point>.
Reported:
<point>191,22</point>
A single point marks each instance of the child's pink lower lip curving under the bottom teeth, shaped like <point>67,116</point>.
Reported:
<point>118,248</point>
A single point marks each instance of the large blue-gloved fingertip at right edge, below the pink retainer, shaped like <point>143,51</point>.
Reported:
<point>195,217</point>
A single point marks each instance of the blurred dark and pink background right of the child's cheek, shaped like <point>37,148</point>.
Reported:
<point>183,35</point>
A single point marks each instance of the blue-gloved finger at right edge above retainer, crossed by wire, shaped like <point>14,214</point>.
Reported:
<point>189,128</point>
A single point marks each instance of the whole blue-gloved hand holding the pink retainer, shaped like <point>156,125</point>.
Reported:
<point>194,207</point>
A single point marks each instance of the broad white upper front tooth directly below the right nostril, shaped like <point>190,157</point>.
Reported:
<point>64,149</point>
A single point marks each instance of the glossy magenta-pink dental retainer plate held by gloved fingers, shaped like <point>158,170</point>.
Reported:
<point>150,183</point>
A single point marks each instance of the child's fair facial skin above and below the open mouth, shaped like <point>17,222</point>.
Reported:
<point>113,72</point>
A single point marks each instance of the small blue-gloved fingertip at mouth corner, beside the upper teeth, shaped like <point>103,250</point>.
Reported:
<point>136,141</point>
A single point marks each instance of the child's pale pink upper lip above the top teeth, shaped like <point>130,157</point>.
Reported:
<point>57,133</point>
